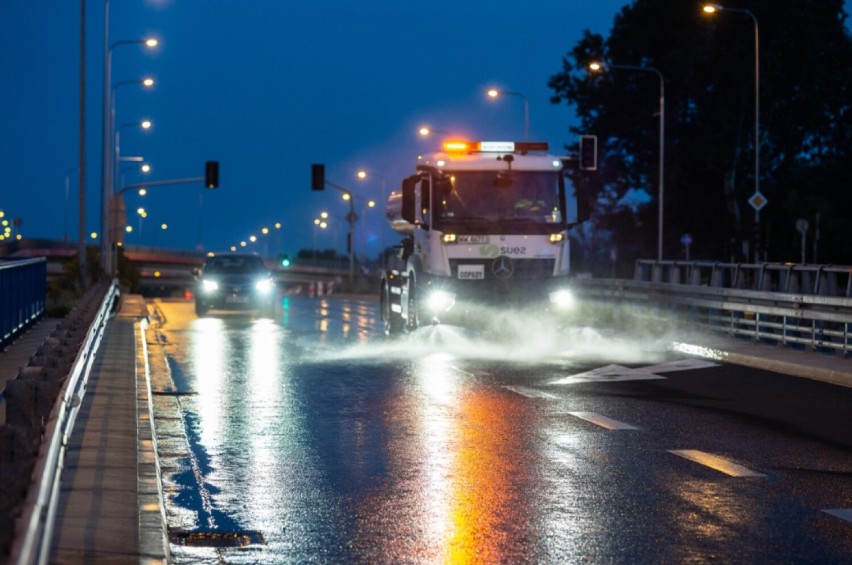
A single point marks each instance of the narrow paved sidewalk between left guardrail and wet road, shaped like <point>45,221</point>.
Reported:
<point>110,507</point>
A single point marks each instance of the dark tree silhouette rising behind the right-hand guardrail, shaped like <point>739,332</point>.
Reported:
<point>708,66</point>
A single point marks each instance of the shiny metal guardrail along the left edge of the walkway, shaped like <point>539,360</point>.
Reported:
<point>32,544</point>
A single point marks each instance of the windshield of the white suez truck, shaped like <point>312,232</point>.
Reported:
<point>521,196</point>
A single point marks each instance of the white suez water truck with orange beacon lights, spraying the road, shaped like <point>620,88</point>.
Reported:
<point>487,222</point>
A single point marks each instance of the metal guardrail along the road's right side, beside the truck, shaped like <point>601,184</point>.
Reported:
<point>805,305</point>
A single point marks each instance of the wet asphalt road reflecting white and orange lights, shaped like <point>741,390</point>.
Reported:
<point>312,438</point>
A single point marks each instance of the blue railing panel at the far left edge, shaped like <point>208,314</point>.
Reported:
<point>23,287</point>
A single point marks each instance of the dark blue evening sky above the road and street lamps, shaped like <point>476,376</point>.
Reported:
<point>267,87</point>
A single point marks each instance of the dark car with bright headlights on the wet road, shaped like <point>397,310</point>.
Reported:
<point>234,282</point>
